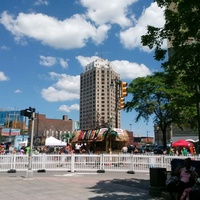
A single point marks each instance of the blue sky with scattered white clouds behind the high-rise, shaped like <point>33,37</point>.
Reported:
<point>45,45</point>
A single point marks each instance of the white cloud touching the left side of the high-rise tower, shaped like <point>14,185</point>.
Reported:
<point>66,88</point>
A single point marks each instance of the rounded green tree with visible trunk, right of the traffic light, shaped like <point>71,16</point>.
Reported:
<point>163,98</point>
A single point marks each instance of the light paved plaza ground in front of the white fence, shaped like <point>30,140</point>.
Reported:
<point>70,186</point>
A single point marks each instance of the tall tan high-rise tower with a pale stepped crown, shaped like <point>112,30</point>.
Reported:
<point>98,100</point>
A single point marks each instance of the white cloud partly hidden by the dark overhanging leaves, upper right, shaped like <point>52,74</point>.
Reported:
<point>131,38</point>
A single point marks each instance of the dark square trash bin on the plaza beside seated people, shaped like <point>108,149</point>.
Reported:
<point>158,176</point>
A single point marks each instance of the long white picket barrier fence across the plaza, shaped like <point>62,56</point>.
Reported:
<point>85,162</point>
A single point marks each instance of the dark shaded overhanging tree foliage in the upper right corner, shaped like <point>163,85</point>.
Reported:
<point>182,30</point>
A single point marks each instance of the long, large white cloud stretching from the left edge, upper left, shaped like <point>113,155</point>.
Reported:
<point>50,31</point>
